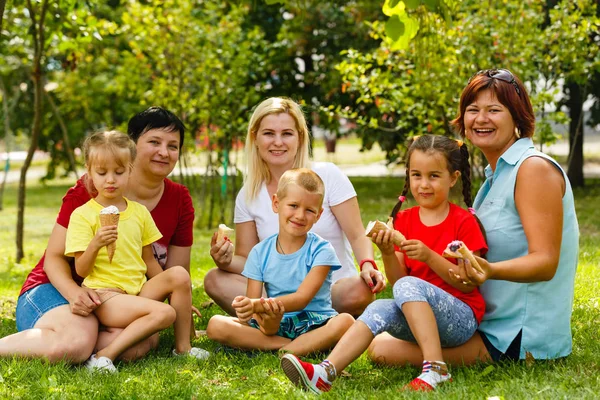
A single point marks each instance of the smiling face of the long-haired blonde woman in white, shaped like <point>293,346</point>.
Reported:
<point>277,140</point>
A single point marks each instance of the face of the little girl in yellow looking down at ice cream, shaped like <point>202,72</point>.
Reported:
<point>110,179</point>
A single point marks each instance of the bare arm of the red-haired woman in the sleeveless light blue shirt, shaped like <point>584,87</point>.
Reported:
<point>538,196</point>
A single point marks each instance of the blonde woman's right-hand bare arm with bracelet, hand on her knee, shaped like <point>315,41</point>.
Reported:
<point>348,216</point>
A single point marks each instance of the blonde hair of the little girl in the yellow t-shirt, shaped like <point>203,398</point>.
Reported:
<point>100,146</point>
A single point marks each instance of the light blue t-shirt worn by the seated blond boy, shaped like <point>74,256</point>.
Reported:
<point>282,274</point>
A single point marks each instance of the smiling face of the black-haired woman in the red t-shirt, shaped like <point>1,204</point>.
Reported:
<point>157,152</point>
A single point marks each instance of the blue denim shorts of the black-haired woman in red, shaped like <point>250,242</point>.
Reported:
<point>36,302</point>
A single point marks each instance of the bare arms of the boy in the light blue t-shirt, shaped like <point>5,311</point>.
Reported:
<point>306,291</point>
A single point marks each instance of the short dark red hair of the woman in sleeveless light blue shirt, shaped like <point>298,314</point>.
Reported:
<point>519,105</point>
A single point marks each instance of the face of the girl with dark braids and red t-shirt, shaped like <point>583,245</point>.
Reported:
<point>430,180</point>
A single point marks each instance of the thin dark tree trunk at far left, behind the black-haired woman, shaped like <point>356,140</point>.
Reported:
<point>37,32</point>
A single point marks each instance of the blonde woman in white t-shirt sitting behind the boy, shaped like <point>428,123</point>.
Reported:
<point>277,141</point>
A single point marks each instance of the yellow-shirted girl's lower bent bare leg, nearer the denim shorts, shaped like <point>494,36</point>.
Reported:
<point>140,318</point>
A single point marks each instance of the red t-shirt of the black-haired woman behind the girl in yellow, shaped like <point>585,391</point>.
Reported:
<point>173,215</point>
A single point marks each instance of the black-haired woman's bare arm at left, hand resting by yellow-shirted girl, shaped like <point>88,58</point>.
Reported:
<point>81,300</point>
